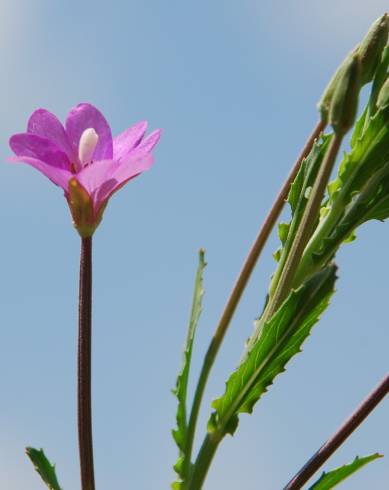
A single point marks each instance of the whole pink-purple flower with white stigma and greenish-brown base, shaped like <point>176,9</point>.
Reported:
<point>84,159</point>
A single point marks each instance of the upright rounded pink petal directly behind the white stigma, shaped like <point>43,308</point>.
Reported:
<point>85,116</point>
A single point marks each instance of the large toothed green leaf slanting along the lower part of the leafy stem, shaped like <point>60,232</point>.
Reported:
<point>281,338</point>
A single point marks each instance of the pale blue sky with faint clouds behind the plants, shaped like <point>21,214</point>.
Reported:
<point>234,86</point>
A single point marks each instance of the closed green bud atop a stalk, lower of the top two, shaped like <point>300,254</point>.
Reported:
<point>344,103</point>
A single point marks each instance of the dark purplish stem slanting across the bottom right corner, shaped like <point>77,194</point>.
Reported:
<point>329,447</point>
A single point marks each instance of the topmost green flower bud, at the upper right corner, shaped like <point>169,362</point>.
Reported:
<point>371,48</point>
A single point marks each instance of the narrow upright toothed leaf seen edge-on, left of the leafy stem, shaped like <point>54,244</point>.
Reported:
<point>180,433</point>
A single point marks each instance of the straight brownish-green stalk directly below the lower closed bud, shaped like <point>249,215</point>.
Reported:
<point>304,230</point>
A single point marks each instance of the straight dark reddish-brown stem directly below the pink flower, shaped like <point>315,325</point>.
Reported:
<point>84,366</point>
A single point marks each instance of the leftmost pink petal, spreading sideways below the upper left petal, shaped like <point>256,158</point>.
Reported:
<point>31,145</point>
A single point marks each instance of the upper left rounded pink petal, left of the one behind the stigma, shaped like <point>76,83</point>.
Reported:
<point>44,123</point>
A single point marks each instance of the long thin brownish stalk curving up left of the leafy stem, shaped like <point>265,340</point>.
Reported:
<point>238,289</point>
